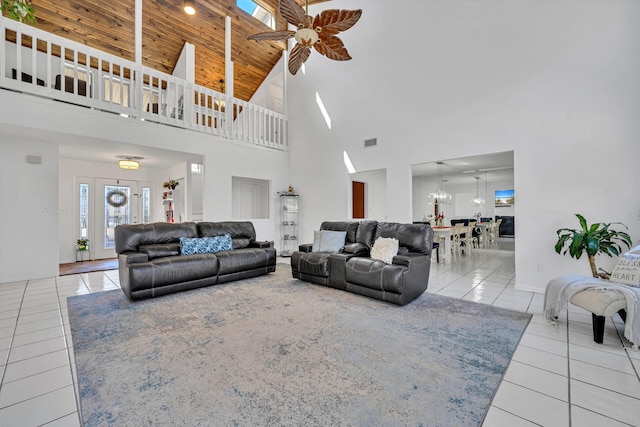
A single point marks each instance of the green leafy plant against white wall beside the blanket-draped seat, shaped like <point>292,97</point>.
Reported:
<point>597,238</point>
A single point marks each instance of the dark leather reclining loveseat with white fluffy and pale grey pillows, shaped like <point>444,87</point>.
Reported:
<point>353,270</point>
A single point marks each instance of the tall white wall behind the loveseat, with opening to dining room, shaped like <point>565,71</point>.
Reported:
<point>556,82</point>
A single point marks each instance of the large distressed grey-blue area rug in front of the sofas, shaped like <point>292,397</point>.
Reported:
<point>276,351</point>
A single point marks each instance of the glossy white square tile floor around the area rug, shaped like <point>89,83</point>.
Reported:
<point>558,375</point>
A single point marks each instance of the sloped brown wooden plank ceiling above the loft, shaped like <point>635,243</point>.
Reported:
<point>109,26</point>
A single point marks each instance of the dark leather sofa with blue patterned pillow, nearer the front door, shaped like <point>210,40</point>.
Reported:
<point>150,263</point>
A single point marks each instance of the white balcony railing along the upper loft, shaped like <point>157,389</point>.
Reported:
<point>39,63</point>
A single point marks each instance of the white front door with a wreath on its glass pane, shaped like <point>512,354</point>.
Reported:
<point>116,203</point>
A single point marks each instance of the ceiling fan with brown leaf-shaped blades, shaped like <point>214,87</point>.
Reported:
<point>319,32</point>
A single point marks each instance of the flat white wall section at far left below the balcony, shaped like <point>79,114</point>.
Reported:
<point>29,206</point>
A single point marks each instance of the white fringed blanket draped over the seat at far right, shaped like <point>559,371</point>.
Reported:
<point>560,290</point>
